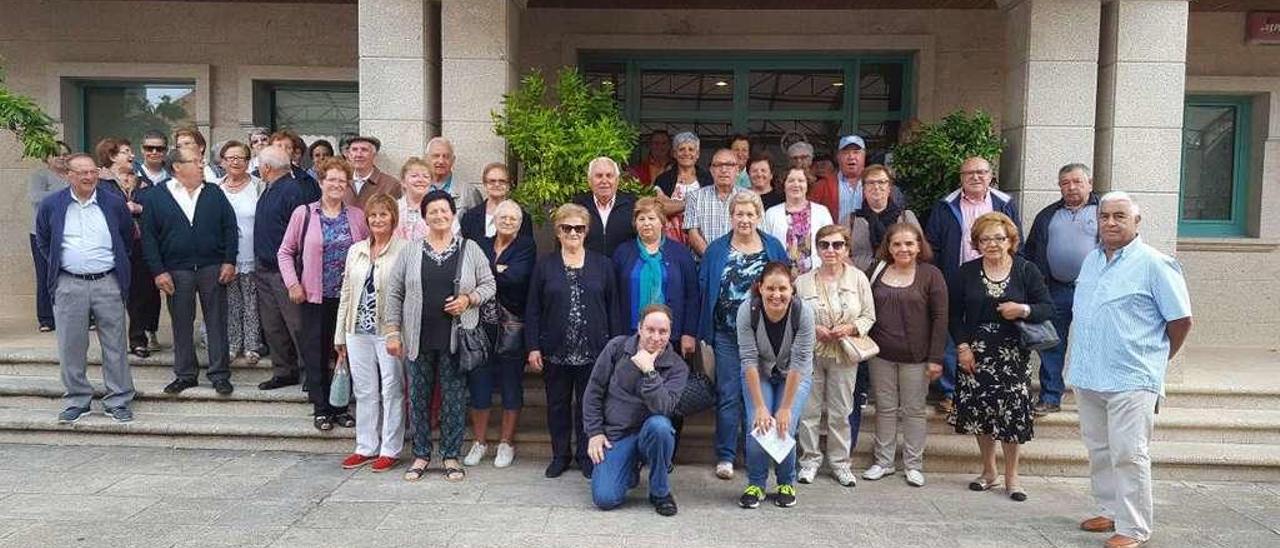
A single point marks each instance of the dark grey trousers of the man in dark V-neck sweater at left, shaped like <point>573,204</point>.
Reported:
<point>188,286</point>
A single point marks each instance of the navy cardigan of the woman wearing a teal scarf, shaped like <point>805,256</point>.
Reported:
<point>680,286</point>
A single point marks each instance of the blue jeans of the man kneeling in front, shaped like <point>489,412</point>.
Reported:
<point>620,471</point>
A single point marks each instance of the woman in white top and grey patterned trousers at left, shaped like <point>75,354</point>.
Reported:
<point>241,190</point>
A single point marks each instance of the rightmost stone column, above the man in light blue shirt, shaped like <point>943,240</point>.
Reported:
<point>1142,76</point>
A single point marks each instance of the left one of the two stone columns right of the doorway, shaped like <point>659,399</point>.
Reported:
<point>1050,95</point>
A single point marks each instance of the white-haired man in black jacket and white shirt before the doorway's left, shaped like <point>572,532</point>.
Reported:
<point>611,212</point>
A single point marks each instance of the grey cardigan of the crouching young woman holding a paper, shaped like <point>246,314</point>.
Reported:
<point>756,351</point>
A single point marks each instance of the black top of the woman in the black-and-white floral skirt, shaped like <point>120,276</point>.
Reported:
<point>972,305</point>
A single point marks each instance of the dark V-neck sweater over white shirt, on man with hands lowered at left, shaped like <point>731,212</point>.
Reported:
<point>171,243</point>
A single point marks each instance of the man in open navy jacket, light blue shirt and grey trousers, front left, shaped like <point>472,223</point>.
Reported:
<point>85,235</point>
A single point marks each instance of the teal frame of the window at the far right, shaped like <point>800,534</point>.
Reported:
<point>1238,225</point>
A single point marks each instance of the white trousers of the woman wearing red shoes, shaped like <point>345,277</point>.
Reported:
<point>378,383</point>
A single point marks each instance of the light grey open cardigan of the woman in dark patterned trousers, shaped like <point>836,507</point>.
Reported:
<point>405,294</point>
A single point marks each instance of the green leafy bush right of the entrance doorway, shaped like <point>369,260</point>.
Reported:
<point>930,162</point>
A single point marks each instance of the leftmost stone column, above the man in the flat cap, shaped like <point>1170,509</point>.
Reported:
<point>399,77</point>
